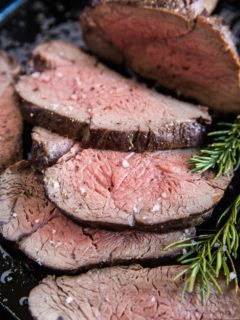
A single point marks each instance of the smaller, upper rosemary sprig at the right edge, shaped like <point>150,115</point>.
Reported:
<point>224,153</point>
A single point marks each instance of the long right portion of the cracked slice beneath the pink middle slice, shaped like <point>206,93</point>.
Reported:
<point>63,245</point>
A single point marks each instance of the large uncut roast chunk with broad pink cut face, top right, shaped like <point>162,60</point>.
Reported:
<point>222,98</point>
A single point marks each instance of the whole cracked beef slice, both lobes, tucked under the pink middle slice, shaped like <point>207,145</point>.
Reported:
<point>44,234</point>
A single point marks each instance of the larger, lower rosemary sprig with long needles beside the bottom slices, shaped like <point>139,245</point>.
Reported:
<point>210,254</point>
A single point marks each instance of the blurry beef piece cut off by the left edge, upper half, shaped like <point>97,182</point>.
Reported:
<point>10,117</point>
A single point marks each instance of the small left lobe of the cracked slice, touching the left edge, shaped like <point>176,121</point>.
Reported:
<point>24,207</point>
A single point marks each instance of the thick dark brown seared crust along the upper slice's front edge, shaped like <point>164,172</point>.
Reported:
<point>188,134</point>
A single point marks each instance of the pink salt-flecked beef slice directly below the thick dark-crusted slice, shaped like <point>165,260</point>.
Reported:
<point>150,191</point>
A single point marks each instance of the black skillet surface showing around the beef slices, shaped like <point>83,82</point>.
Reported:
<point>35,22</point>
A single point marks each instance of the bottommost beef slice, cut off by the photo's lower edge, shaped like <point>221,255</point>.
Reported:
<point>127,293</point>
